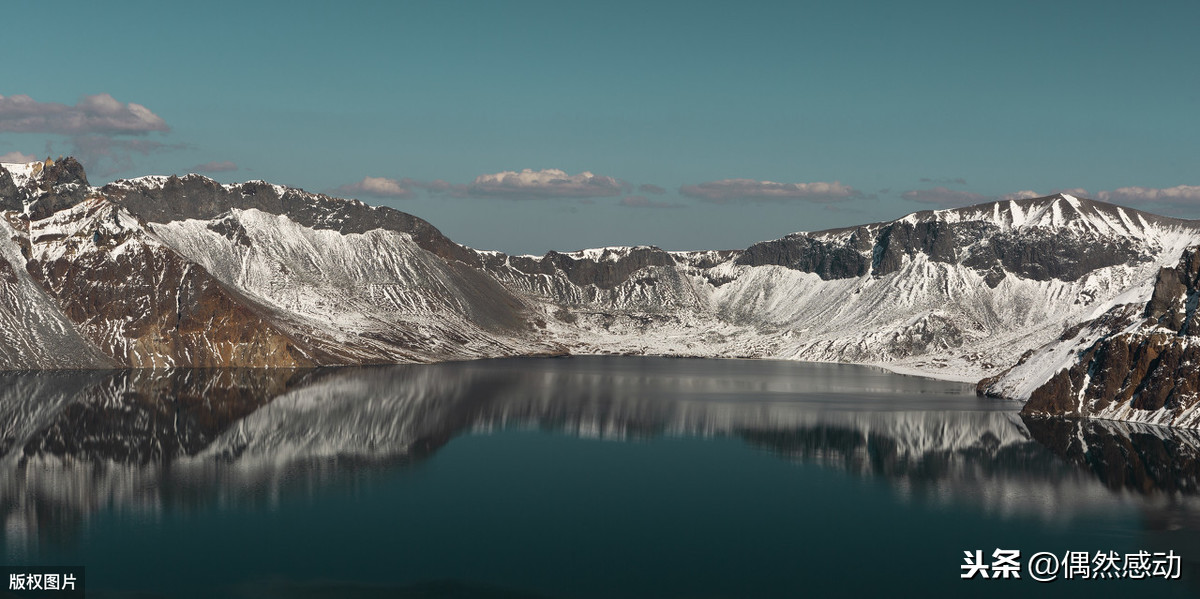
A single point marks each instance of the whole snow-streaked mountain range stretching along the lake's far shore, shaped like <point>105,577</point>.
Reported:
<point>187,272</point>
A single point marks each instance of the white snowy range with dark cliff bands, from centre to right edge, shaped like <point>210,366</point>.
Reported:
<point>953,293</point>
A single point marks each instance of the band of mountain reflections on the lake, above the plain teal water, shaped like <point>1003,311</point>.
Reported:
<point>74,444</point>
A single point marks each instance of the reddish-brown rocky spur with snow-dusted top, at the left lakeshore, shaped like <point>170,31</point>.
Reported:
<point>145,306</point>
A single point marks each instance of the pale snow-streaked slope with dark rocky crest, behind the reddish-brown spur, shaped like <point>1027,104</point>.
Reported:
<point>382,285</point>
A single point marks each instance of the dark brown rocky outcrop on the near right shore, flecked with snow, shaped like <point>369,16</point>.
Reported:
<point>1145,373</point>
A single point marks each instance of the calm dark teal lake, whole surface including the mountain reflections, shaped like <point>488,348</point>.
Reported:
<point>572,478</point>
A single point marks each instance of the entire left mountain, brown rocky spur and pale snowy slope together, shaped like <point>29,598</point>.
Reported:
<point>322,283</point>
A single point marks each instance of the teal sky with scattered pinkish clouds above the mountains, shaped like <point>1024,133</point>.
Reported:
<point>536,127</point>
